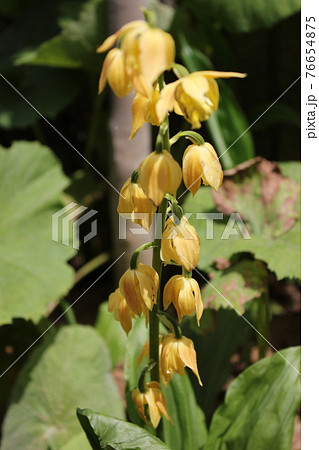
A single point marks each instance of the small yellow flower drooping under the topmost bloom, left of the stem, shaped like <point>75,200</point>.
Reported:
<point>143,110</point>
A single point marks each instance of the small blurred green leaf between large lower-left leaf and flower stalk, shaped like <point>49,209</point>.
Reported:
<point>112,333</point>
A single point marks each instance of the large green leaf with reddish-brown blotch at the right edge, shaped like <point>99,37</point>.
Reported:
<point>269,204</point>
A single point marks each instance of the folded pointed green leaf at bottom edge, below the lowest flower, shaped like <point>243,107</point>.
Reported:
<point>104,432</point>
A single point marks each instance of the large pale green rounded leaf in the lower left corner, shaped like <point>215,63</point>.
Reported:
<point>69,370</point>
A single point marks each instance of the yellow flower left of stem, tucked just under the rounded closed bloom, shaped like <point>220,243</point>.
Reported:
<point>133,201</point>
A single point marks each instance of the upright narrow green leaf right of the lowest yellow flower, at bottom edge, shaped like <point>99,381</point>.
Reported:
<point>189,431</point>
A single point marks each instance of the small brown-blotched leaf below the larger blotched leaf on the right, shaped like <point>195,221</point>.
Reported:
<point>239,284</point>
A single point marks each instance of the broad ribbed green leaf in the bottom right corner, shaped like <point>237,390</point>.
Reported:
<point>260,406</point>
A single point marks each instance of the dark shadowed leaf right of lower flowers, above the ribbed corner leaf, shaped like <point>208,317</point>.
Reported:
<point>228,333</point>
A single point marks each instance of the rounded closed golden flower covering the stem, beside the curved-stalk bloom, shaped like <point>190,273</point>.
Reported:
<point>159,173</point>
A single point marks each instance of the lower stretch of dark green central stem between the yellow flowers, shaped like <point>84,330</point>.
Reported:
<point>153,317</point>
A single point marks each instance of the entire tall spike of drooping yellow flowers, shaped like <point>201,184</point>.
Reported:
<point>141,54</point>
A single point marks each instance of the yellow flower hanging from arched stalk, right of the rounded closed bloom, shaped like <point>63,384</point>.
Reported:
<point>201,162</point>
